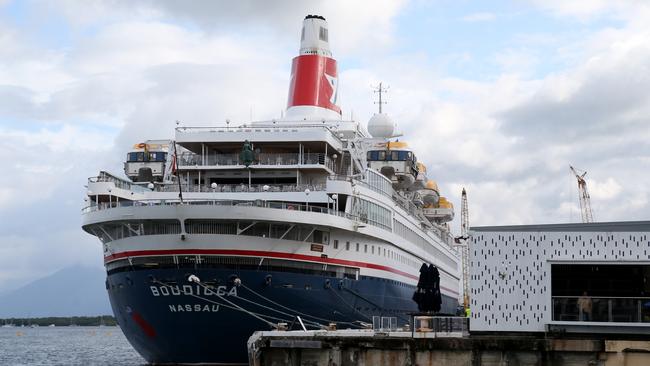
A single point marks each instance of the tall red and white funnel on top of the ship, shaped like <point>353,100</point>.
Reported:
<point>313,90</point>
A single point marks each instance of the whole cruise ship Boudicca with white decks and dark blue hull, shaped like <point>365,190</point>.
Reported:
<point>300,221</point>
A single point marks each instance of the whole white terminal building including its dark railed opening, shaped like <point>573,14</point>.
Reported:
<point>583,278</point>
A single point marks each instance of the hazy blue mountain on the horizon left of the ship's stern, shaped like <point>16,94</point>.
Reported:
<point>72,291</point>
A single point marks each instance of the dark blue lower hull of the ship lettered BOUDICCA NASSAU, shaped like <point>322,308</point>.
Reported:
<point>170,320</point>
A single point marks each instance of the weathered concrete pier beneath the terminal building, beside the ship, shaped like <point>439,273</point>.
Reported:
<point>368,347</point>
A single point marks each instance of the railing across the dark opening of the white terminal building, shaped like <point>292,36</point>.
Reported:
<point>601,309</point>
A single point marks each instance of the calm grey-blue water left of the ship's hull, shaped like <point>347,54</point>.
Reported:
<point>66,346</point>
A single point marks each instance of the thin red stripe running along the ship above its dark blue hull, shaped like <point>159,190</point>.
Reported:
<point>261,253</point>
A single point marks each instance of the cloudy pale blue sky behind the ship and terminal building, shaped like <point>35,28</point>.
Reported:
<point>499,97</point>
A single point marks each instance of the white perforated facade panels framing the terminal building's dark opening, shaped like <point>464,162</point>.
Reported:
<point>510,267</point>
